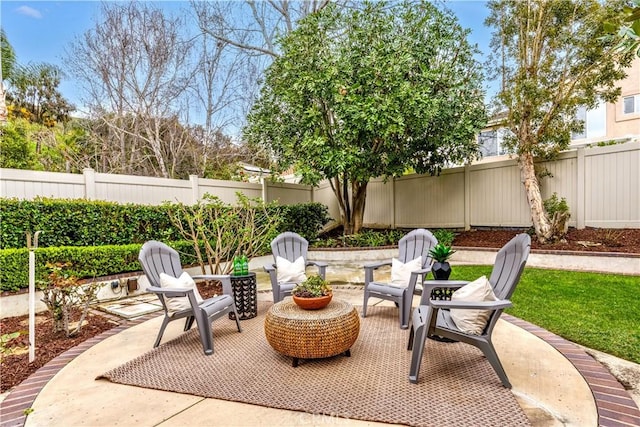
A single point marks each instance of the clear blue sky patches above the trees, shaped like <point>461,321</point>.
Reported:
<point>39,31</point>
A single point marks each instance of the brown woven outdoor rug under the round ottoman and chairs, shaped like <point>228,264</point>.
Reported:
<point>457,385</point>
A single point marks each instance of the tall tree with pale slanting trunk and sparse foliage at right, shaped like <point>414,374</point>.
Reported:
<point>552,58</point>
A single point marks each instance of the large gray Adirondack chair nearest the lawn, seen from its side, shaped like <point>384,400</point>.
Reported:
<point>432,318</point>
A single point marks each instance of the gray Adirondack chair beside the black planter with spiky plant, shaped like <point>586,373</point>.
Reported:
<point>416,243</point>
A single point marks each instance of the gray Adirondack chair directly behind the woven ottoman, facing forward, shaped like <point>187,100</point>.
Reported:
<point>290,246</point>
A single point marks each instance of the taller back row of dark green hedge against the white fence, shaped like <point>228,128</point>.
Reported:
<point>77,222</point>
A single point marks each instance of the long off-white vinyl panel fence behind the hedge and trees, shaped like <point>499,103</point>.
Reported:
<point>601,186</point>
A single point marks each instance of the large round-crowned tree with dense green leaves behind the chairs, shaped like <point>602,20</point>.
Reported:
<point>363,93</point>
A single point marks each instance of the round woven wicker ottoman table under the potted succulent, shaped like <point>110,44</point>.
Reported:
<point>312,334</point>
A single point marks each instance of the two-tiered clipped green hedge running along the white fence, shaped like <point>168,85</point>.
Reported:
<point>103,238</point>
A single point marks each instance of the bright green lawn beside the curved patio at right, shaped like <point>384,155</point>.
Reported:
<point>599,311</point>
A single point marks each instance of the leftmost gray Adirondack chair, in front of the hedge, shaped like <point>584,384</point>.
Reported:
<point>155,258</point>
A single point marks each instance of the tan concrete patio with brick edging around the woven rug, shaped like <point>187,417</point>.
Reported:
<point>554,381</point>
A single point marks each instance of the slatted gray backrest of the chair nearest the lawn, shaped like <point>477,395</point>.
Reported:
<point>509,264</point>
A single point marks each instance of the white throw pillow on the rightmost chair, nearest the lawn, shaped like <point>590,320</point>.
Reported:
<point>472,321</point>
